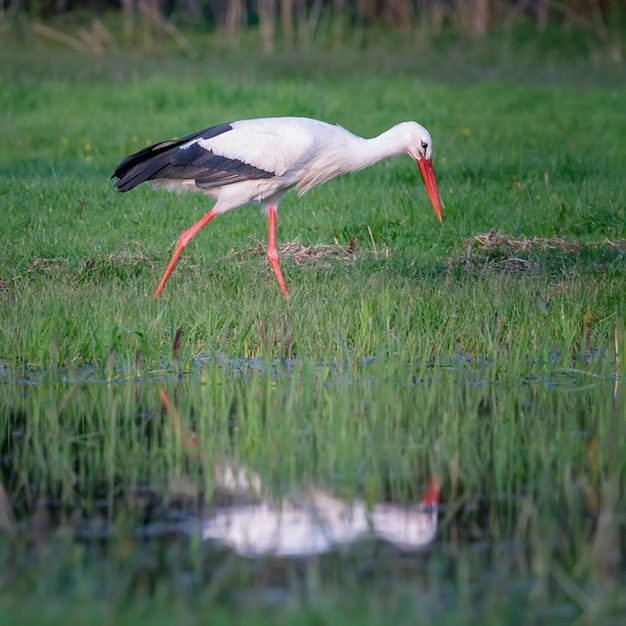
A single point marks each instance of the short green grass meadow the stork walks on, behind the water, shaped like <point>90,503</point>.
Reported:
<point>81,261</point>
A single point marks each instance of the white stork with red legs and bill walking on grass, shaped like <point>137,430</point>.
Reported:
<point>259,160</point>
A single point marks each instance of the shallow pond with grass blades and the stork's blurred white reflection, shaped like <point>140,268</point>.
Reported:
<point>461,489</point>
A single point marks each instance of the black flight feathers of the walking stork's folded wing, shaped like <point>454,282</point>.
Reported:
<point>167,160</point>
